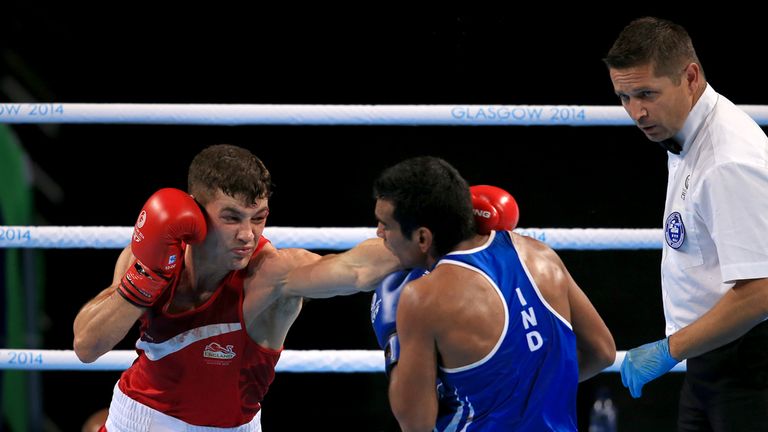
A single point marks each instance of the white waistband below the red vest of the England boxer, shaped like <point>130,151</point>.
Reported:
<point>128,415</point>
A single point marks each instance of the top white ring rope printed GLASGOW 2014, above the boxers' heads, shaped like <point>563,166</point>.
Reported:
<point>389,115</point>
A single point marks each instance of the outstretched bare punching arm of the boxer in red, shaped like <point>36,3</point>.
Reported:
<point>347,273</point>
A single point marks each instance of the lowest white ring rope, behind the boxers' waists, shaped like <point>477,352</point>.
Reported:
<point>290,361</point>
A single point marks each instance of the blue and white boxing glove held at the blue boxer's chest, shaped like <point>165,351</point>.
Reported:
<point>384,312</point>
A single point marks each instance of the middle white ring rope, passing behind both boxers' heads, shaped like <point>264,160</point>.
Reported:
<point>67,237</point>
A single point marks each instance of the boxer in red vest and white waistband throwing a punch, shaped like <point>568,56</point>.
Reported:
<point>214,300</point>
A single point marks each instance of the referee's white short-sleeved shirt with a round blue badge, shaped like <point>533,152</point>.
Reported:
<point>716,213</point>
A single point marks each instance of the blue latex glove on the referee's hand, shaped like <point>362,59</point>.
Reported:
<point>646,363</point>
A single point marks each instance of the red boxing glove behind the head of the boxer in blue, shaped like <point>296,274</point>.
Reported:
<point>494,209</point>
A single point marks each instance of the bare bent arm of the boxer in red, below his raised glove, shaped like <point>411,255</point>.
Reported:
<point>106,319</point>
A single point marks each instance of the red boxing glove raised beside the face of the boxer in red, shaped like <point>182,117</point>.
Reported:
<point>169,217</point>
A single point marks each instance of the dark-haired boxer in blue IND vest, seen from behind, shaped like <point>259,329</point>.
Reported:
<point>498,321</point>
